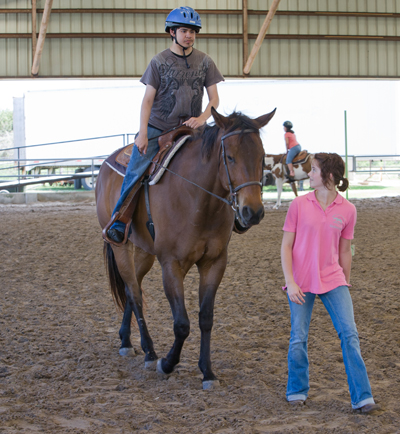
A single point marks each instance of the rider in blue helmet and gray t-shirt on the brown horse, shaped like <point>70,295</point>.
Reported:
<point>175,80</point>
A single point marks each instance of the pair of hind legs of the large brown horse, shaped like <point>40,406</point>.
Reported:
<point>132,270</point>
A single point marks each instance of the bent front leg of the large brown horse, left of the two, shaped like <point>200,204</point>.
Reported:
<point>173,286</point>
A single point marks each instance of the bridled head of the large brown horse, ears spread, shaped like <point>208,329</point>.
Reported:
<point>241,165</point>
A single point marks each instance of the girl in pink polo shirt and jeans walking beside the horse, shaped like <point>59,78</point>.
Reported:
<point>316,260</point>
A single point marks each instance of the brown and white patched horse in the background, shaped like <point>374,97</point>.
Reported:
<point>276,165</point>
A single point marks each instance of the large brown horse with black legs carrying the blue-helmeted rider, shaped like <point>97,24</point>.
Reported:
<point>212,183</point>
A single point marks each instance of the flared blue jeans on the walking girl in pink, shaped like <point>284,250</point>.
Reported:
<point>339,305</point>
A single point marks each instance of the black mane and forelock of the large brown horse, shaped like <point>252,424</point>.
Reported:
<point>237,120</point>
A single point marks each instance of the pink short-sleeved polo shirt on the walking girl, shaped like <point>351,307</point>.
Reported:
<point>315,254</point>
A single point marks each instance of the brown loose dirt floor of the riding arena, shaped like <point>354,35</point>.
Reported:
<point>60,371</point>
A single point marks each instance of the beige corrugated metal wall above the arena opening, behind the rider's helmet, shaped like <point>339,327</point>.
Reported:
<point>307,38</point>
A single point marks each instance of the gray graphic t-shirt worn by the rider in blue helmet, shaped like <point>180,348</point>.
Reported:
<point>179,89</point>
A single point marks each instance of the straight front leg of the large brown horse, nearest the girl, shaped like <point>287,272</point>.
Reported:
<point>211,273</point>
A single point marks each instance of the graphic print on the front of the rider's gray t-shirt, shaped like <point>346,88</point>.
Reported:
<point>183,86</point>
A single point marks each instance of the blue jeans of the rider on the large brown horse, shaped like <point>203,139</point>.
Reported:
<point>138,164</point>
